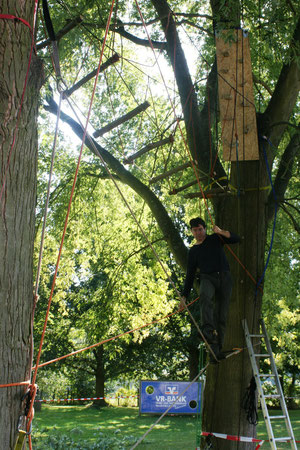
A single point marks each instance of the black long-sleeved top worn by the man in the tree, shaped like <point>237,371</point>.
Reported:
<point>208,257</point>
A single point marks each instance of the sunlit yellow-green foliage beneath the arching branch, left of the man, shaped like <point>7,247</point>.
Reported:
<point>108,280</point>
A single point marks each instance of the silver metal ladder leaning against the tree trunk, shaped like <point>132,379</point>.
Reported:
<point>259,377</point>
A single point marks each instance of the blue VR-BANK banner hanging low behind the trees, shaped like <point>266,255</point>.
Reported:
<point>157,396</point>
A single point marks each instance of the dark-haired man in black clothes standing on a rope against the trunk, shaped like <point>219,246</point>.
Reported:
<point>208,256</point>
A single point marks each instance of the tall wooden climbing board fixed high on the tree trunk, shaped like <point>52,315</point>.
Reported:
<point>236,99</point>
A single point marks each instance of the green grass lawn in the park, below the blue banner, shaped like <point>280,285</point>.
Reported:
<point>112,428</point>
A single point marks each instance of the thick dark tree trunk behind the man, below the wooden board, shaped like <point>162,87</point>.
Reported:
<point>226,382</point>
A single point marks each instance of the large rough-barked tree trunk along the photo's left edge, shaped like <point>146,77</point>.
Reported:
<point>18,165</point>
